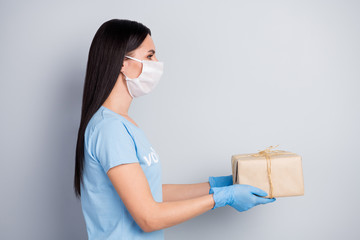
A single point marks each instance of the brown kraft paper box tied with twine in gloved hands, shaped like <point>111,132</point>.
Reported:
<point>277,172</point>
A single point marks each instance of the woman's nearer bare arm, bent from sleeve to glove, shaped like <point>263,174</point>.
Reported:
<point>133,188</point>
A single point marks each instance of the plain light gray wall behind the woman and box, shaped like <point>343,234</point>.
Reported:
<point>239,76</point>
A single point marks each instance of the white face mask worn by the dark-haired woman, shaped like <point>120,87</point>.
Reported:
<point>148,78</point>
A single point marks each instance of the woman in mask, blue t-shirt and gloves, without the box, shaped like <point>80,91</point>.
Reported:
<point>117,172</point>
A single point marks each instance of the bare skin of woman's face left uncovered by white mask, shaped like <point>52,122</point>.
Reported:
<point>146,51</point>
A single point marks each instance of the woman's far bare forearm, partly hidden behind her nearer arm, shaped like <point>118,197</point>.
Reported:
<point>175,192</point>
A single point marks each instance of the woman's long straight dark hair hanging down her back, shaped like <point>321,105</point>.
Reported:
<point>112,41</point>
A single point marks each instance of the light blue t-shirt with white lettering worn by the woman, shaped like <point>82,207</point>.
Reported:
<point>111,140</point>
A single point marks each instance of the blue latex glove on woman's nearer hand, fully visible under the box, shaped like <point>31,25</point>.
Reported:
<point>239,196</point>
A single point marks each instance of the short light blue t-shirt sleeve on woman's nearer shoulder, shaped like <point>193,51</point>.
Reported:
<point>113,145</point>
